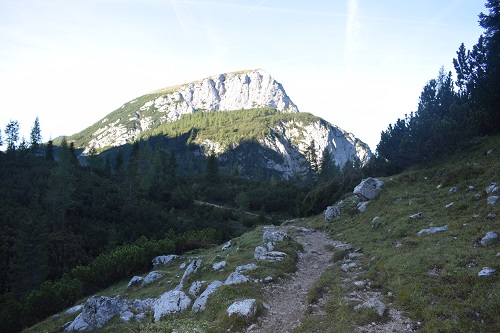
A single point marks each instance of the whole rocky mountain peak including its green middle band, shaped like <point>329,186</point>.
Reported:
<point>283,146</point>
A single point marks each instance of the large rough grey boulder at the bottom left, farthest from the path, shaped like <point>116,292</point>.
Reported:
<point>97,311</point>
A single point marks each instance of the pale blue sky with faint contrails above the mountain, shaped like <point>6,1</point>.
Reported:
<point>360,64</point>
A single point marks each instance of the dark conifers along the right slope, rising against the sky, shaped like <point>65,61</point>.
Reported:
<point>450,112</point>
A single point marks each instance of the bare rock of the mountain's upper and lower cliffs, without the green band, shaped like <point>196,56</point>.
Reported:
<point>282,150</point>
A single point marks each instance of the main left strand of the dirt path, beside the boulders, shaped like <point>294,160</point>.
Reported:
<point>287,302</point>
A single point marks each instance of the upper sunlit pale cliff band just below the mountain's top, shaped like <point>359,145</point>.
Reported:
<point>224,92</point>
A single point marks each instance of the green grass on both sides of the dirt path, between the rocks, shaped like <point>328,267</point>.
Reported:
<point>432,278</point>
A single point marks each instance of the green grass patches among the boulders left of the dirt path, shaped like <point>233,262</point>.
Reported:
<point>214,319</point>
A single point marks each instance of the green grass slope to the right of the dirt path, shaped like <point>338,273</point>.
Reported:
<point>433,277</point>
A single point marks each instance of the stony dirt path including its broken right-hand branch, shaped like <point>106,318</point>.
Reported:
<point>287,302</point>
